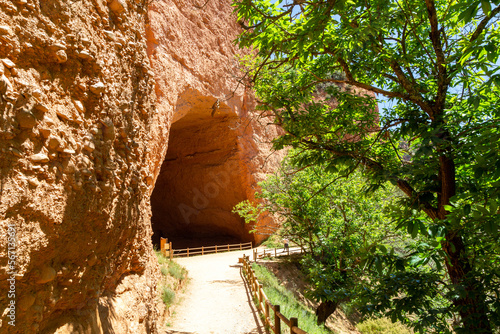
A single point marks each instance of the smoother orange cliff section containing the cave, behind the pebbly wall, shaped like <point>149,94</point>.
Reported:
<point>218,148</point>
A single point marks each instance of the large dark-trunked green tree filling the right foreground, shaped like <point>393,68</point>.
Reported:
<point>436,63</point>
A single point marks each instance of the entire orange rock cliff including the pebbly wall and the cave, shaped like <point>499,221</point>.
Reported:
<point>89,93</point>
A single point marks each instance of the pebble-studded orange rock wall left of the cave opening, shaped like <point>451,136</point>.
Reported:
<point>76,107</point>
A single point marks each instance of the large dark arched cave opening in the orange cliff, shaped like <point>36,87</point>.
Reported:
<point>200,181</point>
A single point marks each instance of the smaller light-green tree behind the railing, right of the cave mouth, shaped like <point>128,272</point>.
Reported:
<point>333,219</point>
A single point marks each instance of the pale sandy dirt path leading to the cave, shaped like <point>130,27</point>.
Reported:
<point>218,300</point>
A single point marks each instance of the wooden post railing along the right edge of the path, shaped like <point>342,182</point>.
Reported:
<point>265,306</point>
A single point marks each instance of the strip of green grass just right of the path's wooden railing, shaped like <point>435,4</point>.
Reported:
<point>289,305</point>
